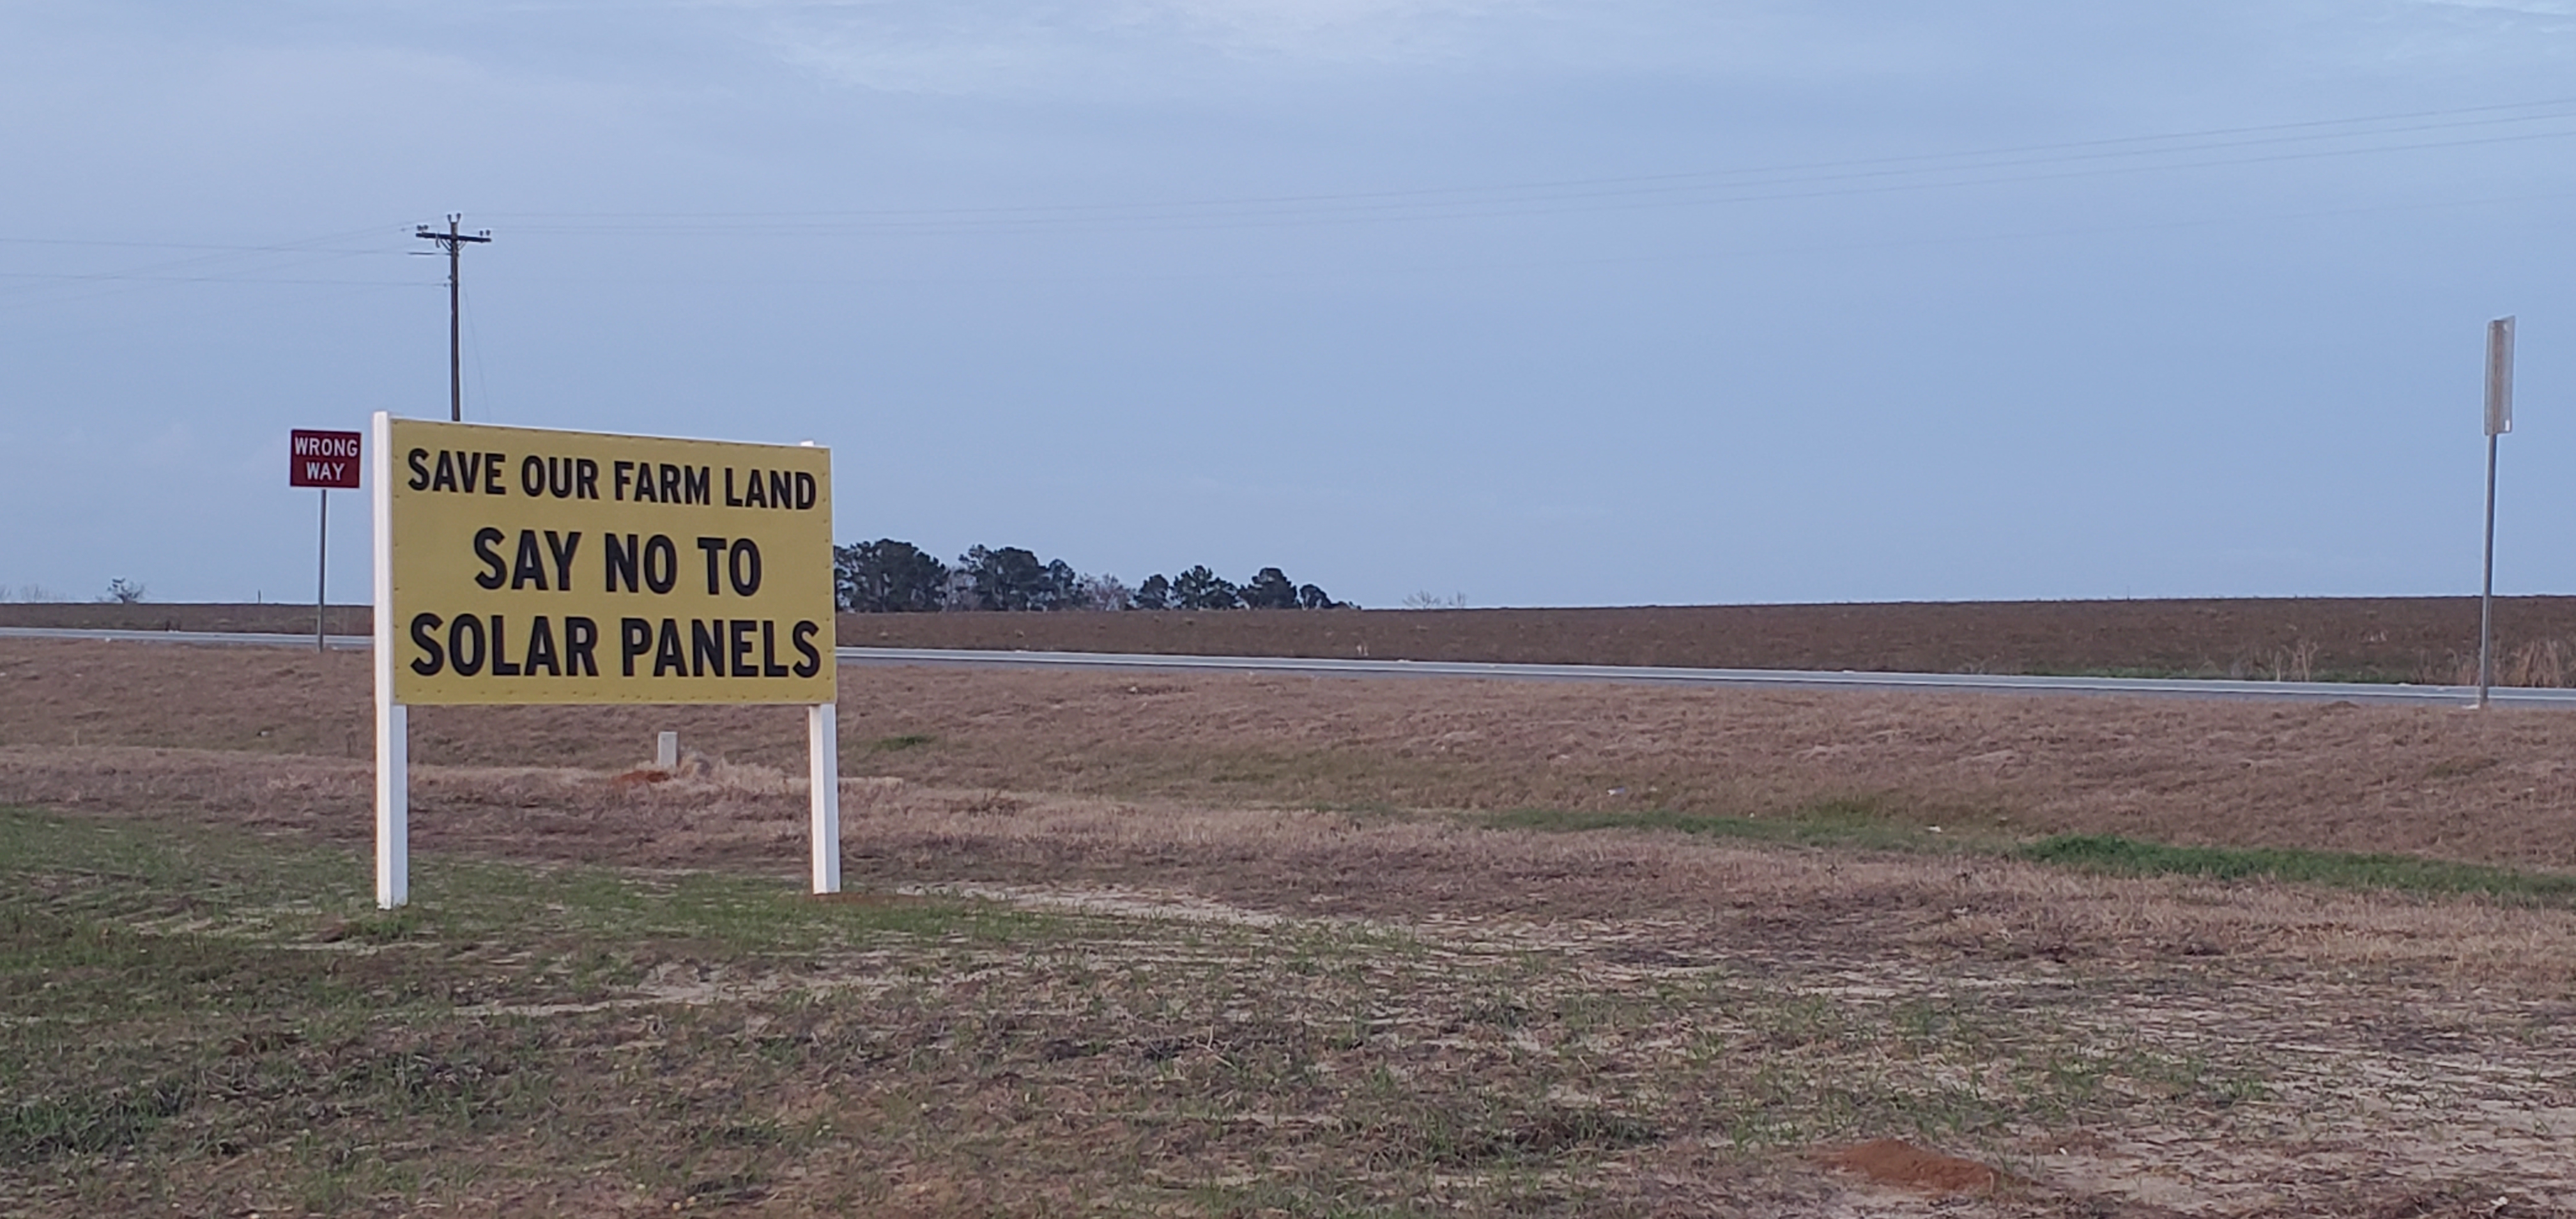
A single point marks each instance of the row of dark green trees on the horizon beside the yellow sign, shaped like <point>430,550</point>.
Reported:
<point>890,576</point>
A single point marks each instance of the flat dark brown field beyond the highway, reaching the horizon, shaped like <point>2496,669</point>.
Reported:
<point>2423,640</point>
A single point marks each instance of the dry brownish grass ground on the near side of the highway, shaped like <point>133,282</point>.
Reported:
<point>1233,945</point>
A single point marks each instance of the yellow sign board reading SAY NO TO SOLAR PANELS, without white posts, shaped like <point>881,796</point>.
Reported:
<point>583,568</point>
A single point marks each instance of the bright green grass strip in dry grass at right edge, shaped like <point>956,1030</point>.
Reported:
<point>2129,857</point>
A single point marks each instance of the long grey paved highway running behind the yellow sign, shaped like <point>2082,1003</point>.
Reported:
<point>1467,669</point>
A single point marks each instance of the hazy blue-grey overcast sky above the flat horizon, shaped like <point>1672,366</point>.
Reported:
<point>1537,303</point>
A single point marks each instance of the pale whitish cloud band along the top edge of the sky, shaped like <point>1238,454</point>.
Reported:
<point>1199,48</point>
